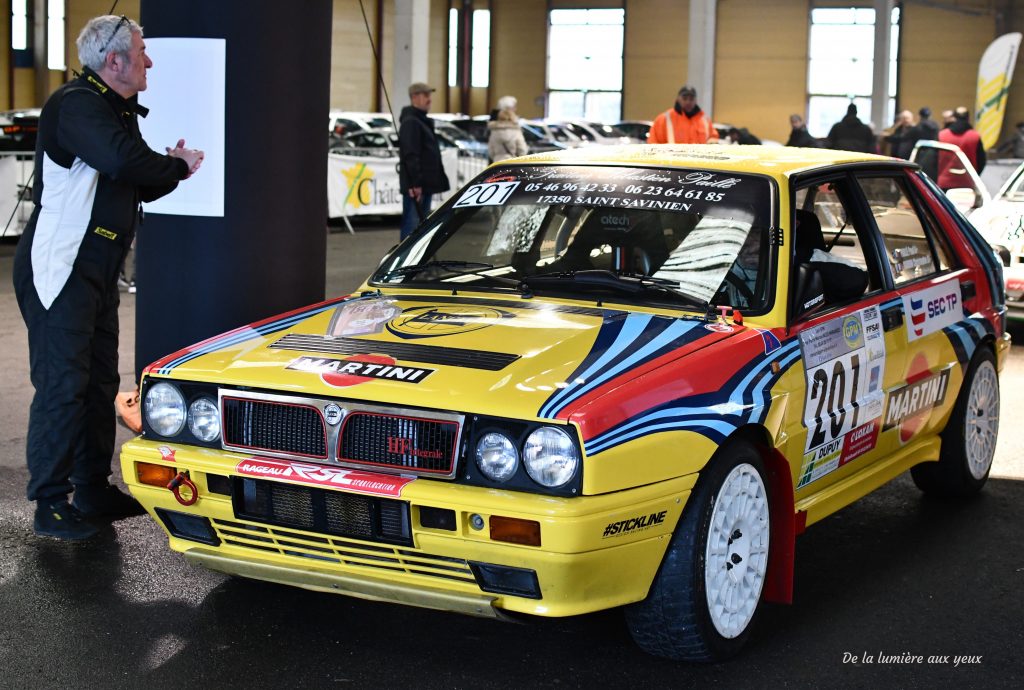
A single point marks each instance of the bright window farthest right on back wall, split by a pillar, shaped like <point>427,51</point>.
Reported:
<point>842,64</point>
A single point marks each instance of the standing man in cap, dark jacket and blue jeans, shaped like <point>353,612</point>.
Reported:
<point>420,171</point>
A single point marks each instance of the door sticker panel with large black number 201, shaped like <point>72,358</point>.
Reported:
<point>844,362</point>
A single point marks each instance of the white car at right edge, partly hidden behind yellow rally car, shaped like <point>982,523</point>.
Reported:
<point>1000,219</point>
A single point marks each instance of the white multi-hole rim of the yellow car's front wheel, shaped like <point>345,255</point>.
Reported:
<point>737,555</point>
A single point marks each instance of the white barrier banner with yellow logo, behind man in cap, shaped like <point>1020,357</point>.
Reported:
<point>361,186</point>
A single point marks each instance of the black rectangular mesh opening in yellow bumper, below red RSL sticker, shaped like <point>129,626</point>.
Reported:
<point>364,517</point>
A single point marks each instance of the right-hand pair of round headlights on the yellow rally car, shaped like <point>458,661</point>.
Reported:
<point>549,456</point>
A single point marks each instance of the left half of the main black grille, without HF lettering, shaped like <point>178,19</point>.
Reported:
<point>261,425</point>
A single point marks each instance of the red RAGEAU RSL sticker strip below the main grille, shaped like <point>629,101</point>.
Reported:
<point>357,482</point>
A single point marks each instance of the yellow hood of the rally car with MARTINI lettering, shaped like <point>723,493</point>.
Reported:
<point>524,359</point>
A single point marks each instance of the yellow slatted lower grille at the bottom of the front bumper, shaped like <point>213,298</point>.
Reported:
<point>343,552</point>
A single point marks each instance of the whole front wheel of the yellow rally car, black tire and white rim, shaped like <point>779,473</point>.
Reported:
<point>676,620</point>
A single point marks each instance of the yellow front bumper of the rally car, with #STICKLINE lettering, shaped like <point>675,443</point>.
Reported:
<point>595,552</point>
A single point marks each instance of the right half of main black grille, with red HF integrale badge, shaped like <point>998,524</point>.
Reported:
<point>420,445</point>
